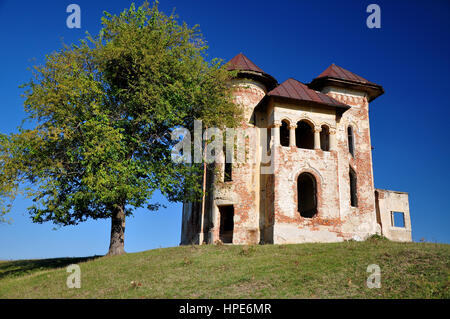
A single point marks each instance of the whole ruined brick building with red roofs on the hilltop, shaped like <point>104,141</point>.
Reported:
<point>321,186</point>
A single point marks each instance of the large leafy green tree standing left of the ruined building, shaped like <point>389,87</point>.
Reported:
<point>101,113</point>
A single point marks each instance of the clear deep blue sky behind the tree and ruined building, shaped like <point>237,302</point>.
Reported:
<point>408,56</point>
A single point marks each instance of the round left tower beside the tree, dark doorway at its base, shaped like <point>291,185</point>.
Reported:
<point>231,212</point>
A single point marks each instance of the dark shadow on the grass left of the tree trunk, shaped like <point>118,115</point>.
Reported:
<point>22,267</point>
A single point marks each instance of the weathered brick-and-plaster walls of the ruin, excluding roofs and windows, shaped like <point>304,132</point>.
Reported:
<point>266,205</point>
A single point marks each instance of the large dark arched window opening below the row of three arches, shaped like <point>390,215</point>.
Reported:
<point>306,195</point>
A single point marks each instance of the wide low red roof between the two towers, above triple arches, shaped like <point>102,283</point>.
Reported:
<point>296,90</point>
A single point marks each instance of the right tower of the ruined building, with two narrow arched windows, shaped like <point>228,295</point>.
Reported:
<point>354,150</point>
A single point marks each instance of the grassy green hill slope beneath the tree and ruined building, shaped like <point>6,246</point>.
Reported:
<point>337,270</point>
